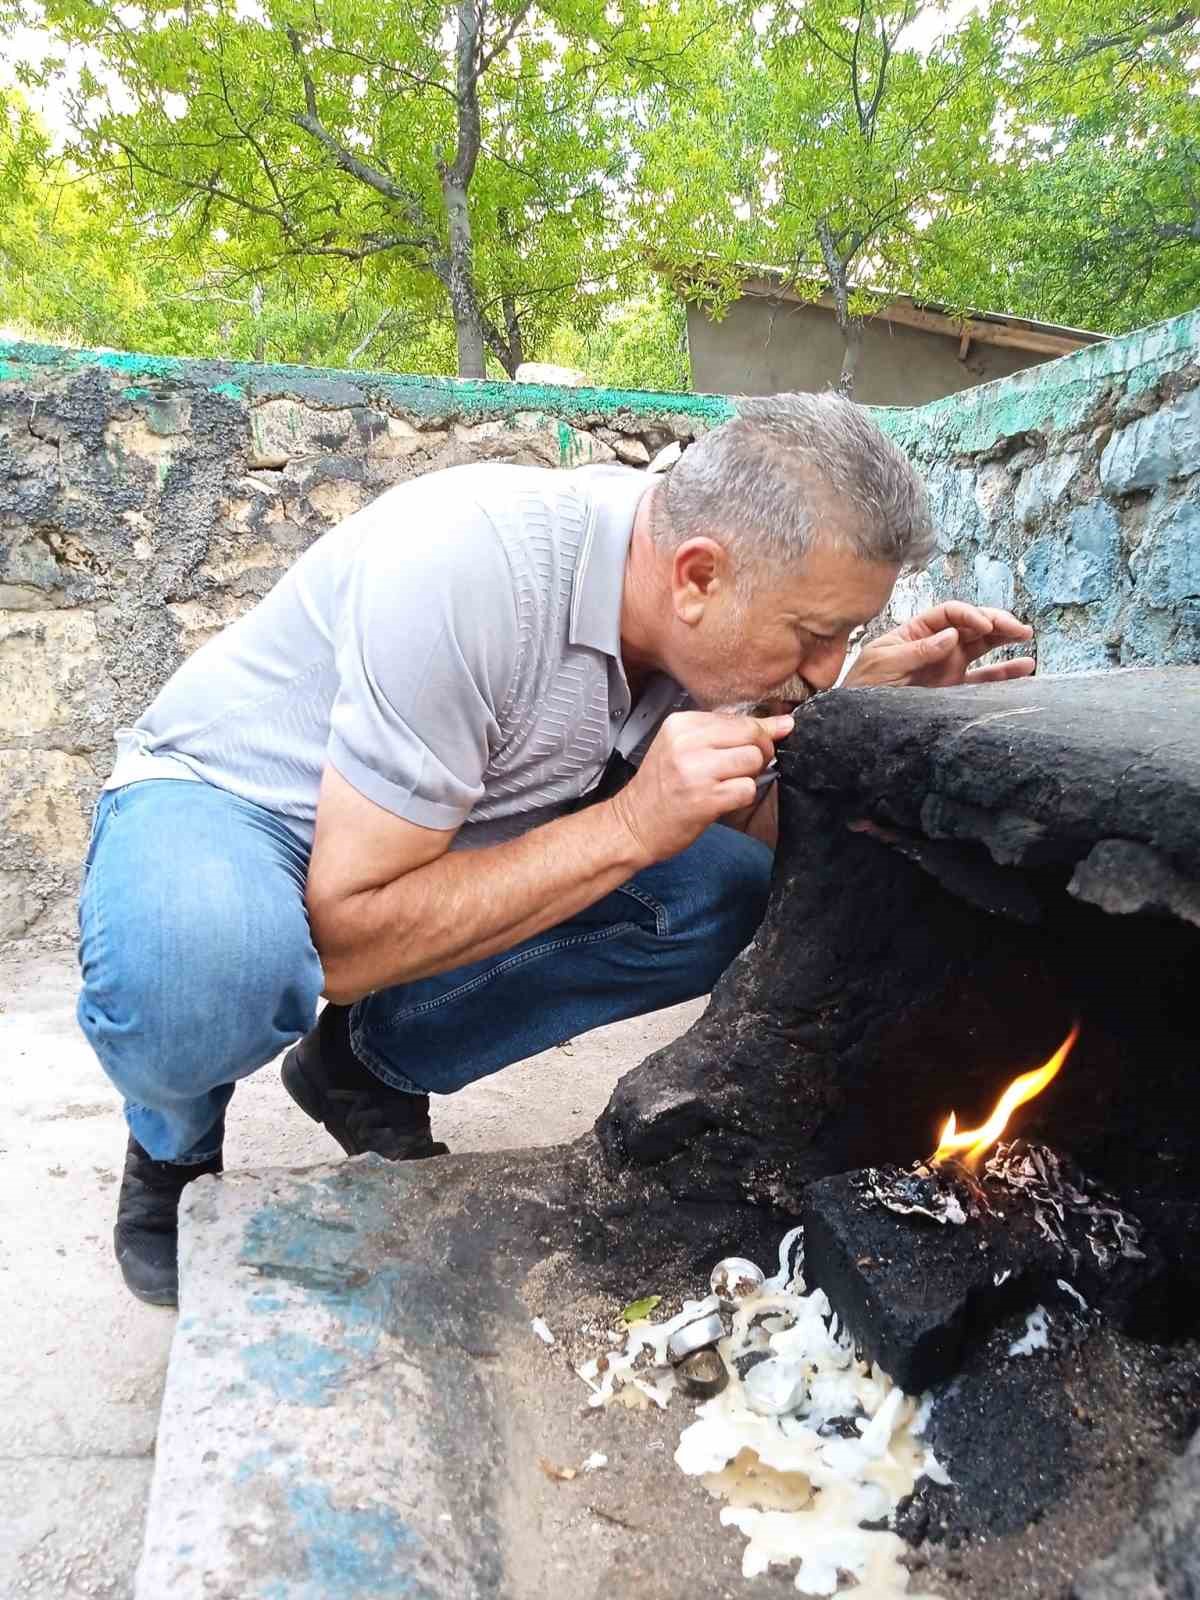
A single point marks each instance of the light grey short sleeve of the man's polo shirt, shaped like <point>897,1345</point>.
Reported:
<point>426,649</point>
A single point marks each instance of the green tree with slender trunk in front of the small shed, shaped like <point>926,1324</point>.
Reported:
<point>826,143</point>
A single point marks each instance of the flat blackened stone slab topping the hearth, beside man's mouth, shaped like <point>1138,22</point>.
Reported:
<point>1039,772</point>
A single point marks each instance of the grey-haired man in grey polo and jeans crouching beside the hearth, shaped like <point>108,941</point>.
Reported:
<point>393,782</point>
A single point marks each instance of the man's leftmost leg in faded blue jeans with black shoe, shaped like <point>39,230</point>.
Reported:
<point>198,969</point>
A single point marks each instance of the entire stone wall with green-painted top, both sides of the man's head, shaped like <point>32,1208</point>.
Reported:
<point>145,503</point>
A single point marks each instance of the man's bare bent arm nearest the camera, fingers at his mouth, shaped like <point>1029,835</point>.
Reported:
<point>391,903</point>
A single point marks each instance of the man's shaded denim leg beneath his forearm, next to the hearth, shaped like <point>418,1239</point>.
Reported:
<point>665,937</point>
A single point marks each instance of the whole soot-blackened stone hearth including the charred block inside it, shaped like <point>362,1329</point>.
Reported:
<point>962,878</point>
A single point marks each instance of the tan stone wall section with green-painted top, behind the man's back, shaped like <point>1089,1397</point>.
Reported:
<point>146,503</point>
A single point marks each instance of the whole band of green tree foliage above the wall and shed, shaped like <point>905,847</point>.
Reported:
<point>458,183</point>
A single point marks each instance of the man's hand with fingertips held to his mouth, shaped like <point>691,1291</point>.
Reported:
<point>700,767</point>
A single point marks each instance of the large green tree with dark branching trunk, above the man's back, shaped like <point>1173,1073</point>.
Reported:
<point>457,159</point>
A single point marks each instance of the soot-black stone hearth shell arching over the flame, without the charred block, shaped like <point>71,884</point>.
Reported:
<point>935,927</point>
